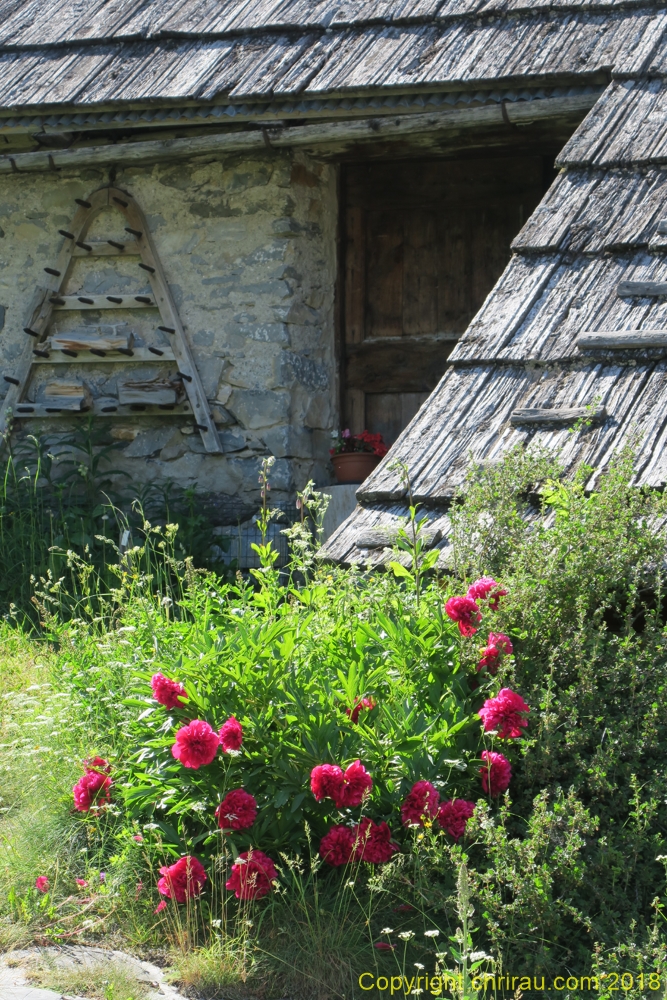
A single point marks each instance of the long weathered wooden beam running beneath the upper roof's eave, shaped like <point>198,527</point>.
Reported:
<point>332,137</point>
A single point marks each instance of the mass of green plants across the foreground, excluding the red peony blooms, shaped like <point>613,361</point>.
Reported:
<point>566,872</point>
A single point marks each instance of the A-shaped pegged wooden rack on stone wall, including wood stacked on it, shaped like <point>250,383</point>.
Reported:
<point>148,398</point>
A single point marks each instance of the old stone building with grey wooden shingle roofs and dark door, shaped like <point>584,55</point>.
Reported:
<point>231,228</point>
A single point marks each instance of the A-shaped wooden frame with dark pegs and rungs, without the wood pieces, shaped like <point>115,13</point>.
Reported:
<point>48,298</point>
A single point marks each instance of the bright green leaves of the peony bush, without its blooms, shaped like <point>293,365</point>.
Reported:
<point>289,678</point>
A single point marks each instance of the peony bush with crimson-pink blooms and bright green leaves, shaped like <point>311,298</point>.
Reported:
<point>270,736</point>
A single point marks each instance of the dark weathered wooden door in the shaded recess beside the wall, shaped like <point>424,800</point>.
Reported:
<point>424,244</point>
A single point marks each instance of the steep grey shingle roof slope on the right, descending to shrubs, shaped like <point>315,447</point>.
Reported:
<point>591,258</point>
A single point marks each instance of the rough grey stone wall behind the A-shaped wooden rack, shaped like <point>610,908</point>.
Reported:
<point>249,250</point>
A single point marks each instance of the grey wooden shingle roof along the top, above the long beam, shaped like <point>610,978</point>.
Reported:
<point>67,53</point>
